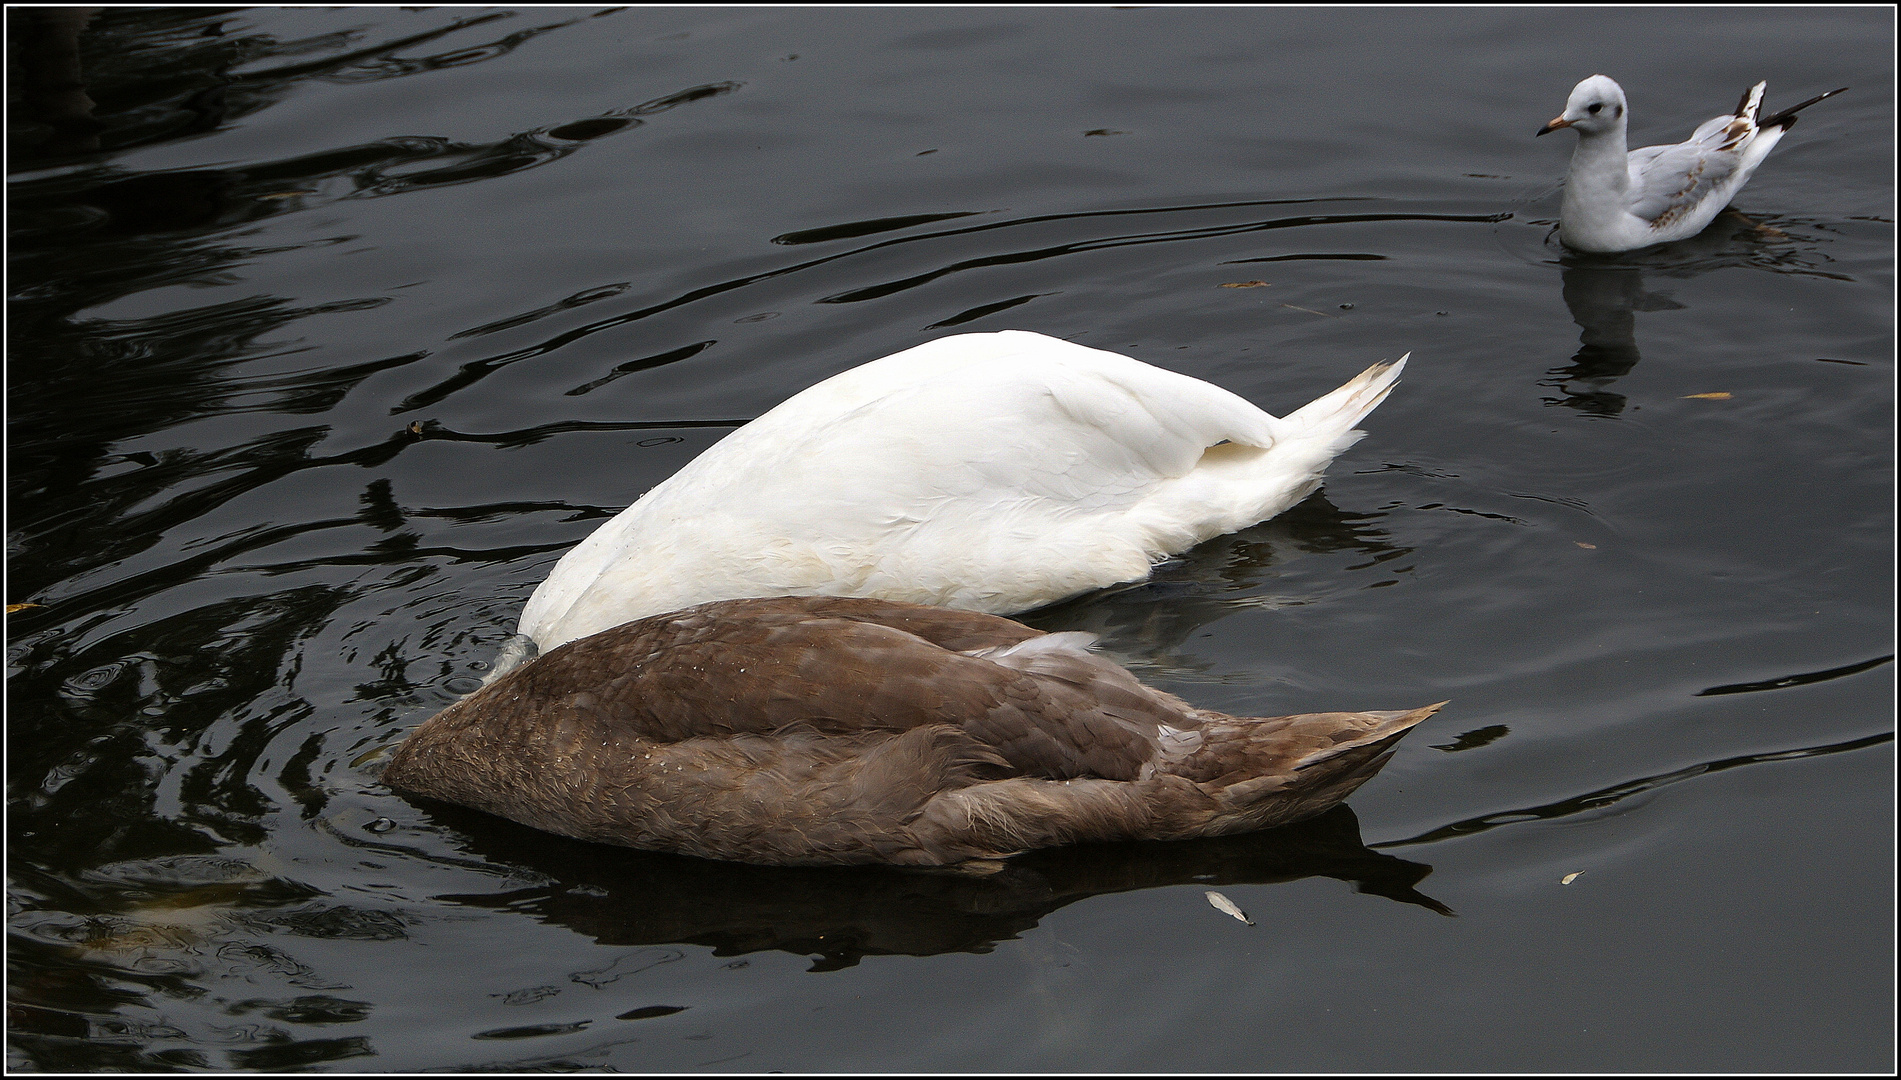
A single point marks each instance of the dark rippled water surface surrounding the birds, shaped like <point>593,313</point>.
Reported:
<point>334,328</point>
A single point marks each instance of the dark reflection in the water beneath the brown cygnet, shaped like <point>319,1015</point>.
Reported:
<point>623,897</point>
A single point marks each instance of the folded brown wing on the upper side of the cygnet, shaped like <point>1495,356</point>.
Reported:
<point>1050,712</point>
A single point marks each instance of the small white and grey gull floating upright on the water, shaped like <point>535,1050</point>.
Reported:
<point>1623,201</point>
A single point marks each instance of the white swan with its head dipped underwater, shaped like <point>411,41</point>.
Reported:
<point>989,472</point>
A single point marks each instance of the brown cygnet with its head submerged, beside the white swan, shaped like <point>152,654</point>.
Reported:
<point>811,731</point>
